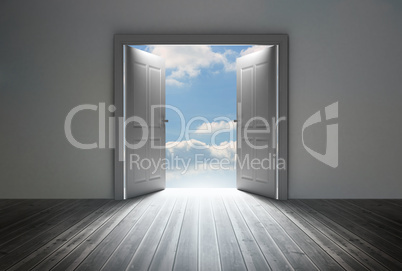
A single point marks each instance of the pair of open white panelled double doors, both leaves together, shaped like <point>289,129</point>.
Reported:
<point>144,85</point>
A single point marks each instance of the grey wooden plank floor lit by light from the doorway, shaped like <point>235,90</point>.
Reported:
<point>185,229</point>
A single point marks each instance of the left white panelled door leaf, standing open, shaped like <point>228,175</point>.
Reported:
<point>145,89</point>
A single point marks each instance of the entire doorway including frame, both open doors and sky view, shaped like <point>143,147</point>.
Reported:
<point>200,56</point>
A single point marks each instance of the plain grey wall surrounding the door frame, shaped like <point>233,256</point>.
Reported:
<point>55,55</point>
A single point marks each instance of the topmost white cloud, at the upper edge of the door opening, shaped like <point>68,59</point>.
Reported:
<point>187,61</point>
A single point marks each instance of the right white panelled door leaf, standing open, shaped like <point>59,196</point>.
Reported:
<point>256,97</point>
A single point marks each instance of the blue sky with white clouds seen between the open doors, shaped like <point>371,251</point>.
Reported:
<point>201,82</point>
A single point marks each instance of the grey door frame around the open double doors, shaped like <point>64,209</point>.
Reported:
<point>281,40</point>
